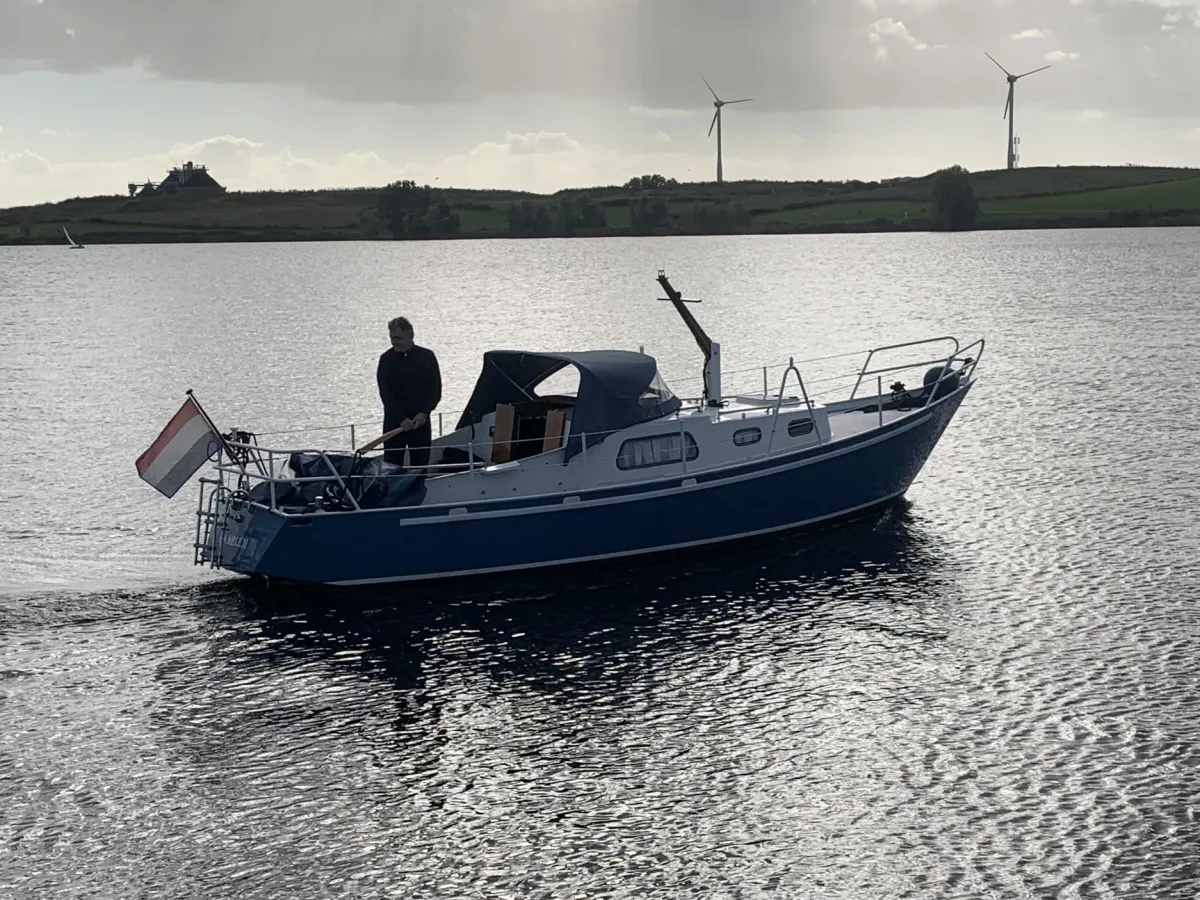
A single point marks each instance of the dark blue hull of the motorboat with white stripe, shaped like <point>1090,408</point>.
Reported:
<point>801,490</point>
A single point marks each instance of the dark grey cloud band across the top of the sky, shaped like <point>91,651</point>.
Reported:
<point>1119,56</point>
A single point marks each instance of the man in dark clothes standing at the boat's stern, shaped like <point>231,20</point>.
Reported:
<point>411,388</point>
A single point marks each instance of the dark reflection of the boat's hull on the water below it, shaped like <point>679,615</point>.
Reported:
<point>591,626</point>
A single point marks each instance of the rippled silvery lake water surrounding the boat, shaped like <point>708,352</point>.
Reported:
<point>992,691</point>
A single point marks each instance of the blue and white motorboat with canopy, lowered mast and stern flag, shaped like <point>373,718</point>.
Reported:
<point>619,469</point>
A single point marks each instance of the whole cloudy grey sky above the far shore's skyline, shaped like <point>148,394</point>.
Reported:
<point>549,94</point>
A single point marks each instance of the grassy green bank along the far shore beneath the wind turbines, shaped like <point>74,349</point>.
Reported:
<point>1046,197</point>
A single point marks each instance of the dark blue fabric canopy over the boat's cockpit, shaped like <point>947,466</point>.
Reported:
<point>617,389</point>
